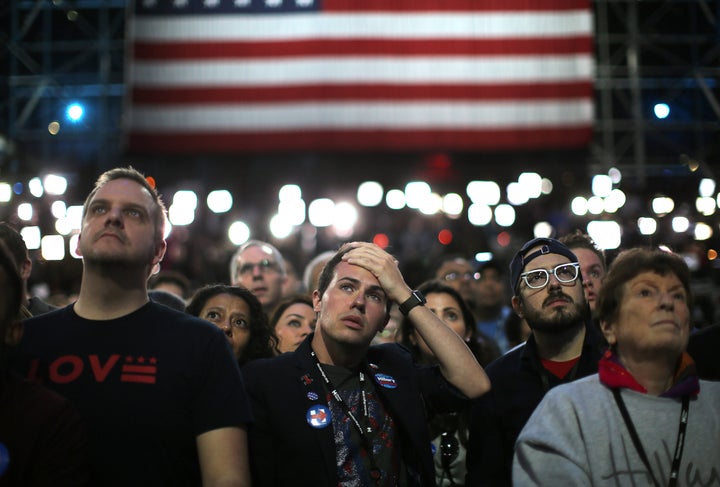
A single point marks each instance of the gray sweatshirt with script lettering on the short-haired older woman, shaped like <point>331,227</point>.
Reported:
<point>577,437</point>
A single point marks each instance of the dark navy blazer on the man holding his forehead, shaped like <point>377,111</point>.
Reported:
<point>286,450</point>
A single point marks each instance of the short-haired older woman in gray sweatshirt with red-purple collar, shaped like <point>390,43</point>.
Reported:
<point>645,419</point>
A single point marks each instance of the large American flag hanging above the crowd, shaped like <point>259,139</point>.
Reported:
<point>286,75</point>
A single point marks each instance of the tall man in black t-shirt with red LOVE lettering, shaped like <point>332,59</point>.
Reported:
<point>159,389</point>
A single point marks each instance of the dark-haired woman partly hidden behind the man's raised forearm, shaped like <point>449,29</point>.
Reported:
<point>448,431</point>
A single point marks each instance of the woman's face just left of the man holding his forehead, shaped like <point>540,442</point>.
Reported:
<point>292,320</point>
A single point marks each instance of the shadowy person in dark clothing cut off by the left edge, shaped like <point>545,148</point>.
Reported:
<point>43,440</point>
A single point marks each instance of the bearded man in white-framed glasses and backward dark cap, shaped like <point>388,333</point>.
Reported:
<point>564,346</point>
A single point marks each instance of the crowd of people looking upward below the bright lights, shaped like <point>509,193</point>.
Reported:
<point>574,373</point>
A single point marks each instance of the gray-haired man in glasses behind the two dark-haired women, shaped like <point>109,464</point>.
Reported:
<point>260,267</point>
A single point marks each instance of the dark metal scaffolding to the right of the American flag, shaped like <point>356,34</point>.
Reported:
<point>650,52</point>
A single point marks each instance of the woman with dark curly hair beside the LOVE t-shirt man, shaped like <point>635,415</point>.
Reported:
<point>239,314</point>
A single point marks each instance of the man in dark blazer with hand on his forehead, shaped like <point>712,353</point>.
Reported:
<point>337,411</point>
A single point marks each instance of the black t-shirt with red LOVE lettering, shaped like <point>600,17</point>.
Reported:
<point>147,384</point>
